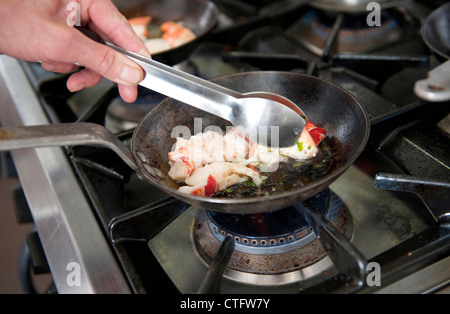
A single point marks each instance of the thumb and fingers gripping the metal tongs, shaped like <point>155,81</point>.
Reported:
<point>99,60</point>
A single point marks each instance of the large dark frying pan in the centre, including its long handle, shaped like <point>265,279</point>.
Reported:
<point>326,104</point>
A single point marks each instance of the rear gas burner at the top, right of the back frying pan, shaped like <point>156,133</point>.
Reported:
<point>315,28</point>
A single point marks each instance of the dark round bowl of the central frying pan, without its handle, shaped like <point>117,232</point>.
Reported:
<point>324,103</point>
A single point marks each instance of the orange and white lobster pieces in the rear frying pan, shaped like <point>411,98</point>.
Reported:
<point>159,38</point>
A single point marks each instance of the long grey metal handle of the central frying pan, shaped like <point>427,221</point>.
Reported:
<point>63,134</point>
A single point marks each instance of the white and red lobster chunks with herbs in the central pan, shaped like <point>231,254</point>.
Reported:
<point>210,164</point>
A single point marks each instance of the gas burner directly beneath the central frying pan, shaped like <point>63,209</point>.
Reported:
<point>280,243</point>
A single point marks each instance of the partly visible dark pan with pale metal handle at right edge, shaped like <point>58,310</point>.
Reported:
<point>436,34</point>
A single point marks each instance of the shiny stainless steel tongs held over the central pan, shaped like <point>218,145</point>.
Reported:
<point>266,118</point>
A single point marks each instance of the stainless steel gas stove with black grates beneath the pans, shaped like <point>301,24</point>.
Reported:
<point>389,209</point>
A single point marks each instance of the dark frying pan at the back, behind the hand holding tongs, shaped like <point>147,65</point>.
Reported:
<point>200,16</point>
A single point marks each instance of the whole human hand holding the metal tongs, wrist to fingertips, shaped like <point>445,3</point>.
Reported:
<point>37,31</point>
